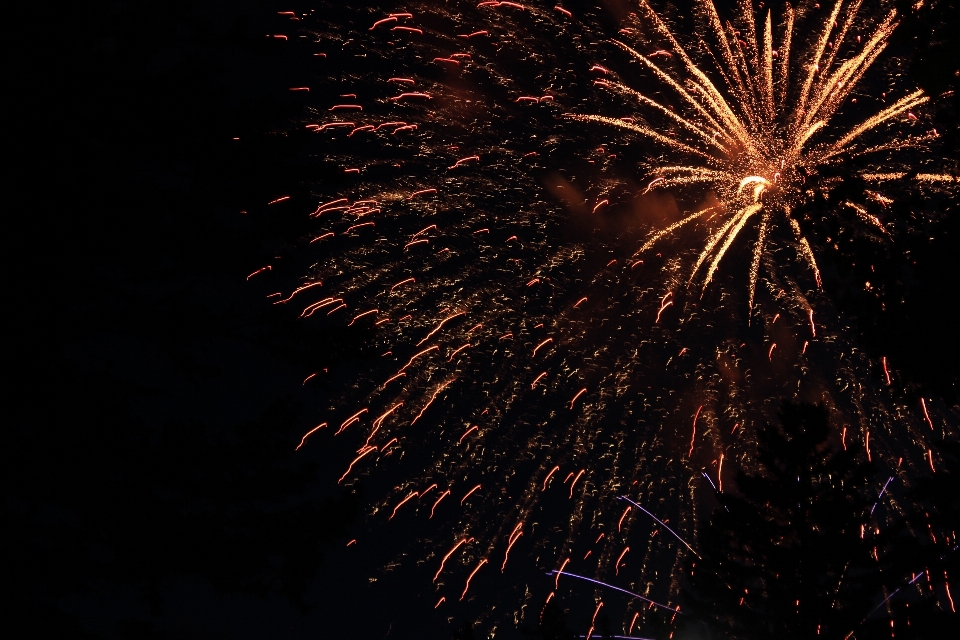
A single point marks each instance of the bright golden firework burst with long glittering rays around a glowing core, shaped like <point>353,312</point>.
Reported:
<point>757,135</point>
